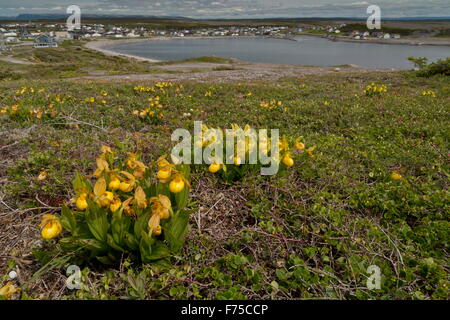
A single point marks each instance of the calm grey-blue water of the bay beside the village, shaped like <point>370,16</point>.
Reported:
<point>304,51</point>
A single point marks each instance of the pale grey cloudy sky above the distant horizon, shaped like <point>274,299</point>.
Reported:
<point>233,8</point>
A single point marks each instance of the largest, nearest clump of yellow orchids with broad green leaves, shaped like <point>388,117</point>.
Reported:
<point>125,207</point>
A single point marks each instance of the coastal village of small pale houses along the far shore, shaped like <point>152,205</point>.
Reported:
<point>44,35</point>
